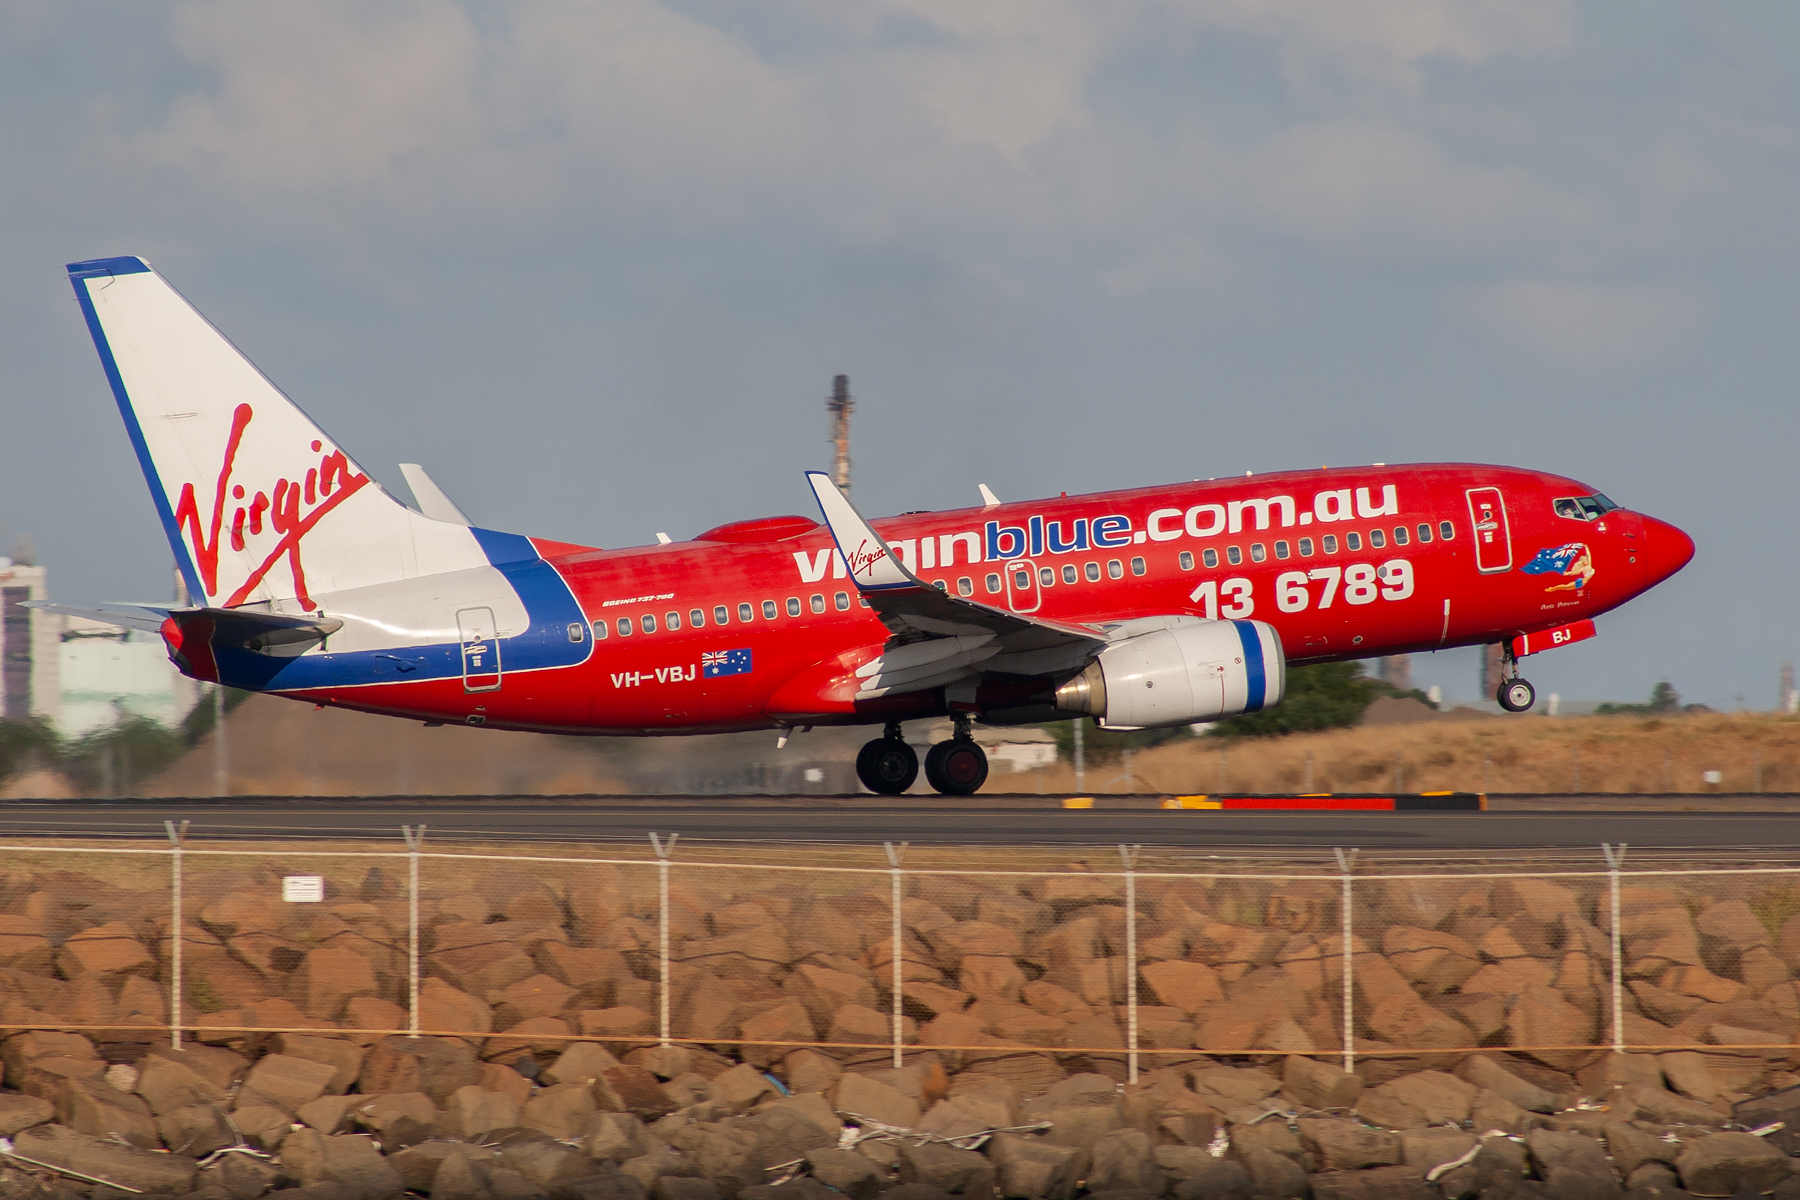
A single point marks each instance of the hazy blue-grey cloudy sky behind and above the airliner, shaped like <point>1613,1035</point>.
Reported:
<point>595,265</point>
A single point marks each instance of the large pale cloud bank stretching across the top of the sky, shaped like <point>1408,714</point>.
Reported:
<point>874,121</point>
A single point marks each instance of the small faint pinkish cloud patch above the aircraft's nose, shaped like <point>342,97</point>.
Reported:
<point>1585,325</point>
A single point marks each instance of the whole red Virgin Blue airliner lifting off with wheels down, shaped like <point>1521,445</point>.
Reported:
<point>1153,607</point>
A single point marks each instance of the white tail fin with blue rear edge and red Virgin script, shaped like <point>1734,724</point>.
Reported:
<point>256,501</point>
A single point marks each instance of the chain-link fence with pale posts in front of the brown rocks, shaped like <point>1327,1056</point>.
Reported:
<point>1016,963</point>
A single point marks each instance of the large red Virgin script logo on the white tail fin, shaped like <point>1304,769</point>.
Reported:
<point>291,508</point>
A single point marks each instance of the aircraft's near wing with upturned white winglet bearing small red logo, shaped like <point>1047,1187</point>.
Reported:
<point>940,638</point>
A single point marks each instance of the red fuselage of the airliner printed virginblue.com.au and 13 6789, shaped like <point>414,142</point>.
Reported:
<point>1345,564</point>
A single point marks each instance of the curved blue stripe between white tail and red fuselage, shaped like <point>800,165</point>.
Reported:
<point>550,611</point>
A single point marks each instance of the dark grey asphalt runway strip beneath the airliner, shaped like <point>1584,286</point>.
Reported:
<point>985,821</point>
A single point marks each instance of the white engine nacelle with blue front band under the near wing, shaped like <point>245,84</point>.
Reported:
<point>1189,672</point>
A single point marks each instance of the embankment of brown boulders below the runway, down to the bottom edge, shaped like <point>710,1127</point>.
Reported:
<point>539,990</point>
